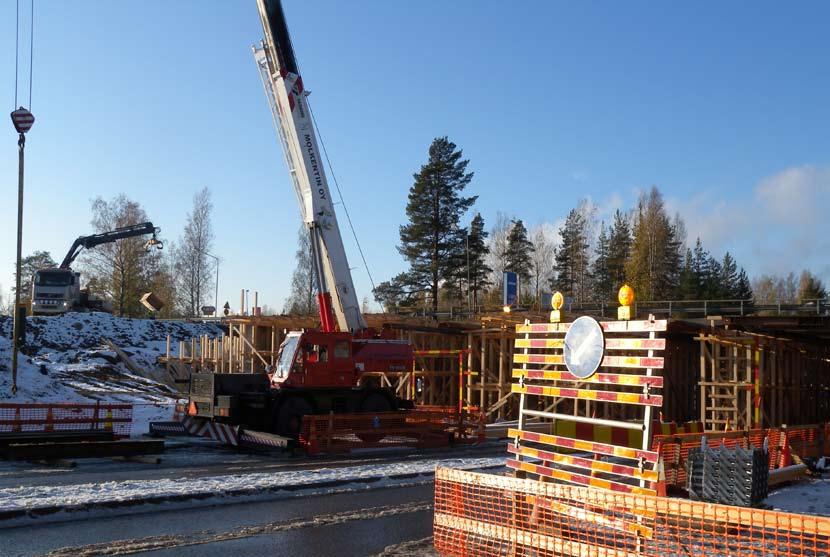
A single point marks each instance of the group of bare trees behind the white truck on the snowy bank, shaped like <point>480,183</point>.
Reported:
<point>121,272</point>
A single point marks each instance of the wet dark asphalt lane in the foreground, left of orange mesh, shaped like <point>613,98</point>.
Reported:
<point>345,524</point>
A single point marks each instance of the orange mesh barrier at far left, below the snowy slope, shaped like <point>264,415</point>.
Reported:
<point>66,416</point>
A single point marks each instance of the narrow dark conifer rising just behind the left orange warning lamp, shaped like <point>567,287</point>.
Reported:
<point>572,261</point>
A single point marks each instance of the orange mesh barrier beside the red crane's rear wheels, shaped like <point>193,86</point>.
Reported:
<point>420,428</point>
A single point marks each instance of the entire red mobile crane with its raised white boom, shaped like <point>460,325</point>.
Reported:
<point>317,371</point>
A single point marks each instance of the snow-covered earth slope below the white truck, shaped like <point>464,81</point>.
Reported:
<point>67,360</point>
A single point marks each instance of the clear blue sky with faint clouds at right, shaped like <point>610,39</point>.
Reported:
<point>723,106</point>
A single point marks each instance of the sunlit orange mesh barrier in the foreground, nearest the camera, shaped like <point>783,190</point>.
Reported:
<point>483,515</point>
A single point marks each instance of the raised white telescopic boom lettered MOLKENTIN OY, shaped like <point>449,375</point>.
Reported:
<point>292,118</point>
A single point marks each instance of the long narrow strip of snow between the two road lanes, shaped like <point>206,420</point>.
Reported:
<point>31,497</point>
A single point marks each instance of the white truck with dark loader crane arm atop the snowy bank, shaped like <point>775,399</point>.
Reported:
<point>58,290</point>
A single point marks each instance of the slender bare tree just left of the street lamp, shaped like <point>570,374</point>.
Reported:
<point>192,265</point>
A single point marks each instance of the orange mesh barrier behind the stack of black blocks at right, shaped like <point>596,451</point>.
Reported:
<point>783,443</point>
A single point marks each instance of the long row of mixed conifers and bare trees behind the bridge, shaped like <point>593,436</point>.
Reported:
<point>585,258</point>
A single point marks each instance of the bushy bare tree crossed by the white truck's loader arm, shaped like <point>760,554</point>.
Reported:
<point>116,271</point>
